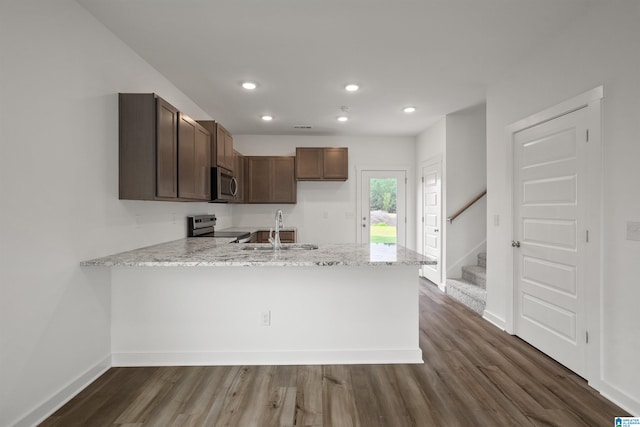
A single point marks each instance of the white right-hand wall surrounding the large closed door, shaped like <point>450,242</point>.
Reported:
<point>600,48</point>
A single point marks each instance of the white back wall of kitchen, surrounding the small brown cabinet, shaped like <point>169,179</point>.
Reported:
<point>326,211</point>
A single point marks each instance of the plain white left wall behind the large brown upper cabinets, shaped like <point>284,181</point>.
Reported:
<point>61,72</point>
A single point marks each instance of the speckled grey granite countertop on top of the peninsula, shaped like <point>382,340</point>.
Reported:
<point>218,252</point>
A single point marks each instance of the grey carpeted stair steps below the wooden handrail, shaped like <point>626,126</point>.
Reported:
<point>470,289</point>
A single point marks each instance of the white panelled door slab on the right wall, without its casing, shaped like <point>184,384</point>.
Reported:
<point>550,237</point>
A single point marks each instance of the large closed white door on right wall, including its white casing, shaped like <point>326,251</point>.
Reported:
<point>556,219</point>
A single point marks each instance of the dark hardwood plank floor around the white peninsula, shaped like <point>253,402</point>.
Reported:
<point>473,375</point>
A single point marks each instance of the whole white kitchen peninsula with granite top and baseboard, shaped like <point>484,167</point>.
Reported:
<point>205,301</point>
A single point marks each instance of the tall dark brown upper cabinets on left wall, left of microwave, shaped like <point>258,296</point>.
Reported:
<point>160,151</point>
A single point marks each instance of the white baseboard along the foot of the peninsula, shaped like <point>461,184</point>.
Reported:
<point>231,358</point>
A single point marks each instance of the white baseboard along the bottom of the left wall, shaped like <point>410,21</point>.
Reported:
<point>62,396</point>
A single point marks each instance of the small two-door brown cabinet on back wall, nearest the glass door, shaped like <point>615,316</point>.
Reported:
<point>322,163</point>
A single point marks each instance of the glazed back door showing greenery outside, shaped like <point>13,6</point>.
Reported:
<point>383,207</point>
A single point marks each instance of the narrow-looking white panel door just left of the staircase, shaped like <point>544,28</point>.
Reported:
<point>432,220</point>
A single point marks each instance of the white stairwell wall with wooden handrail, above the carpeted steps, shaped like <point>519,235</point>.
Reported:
<point>466,178</point>
